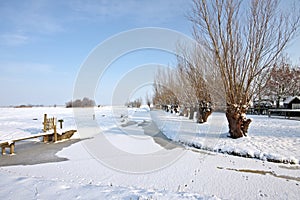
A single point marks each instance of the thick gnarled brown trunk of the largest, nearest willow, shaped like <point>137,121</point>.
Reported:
<point>238,123</point>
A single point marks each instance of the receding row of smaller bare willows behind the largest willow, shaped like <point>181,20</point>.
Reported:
<point>186,85</point>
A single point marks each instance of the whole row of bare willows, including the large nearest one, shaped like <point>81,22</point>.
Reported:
<point>242,41</point>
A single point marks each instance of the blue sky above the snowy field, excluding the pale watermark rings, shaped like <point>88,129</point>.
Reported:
<point>43,43</point>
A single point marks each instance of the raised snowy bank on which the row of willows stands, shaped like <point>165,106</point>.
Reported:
<point>270,139</point>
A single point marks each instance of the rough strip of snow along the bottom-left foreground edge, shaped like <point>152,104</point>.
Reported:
<point>52,189</point>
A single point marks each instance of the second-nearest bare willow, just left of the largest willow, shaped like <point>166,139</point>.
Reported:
<point>191,66</point>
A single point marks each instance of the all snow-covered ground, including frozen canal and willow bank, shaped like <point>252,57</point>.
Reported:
<point>126,157</point>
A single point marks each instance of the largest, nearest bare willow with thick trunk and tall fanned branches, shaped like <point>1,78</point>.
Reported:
<point>244,45</point>
